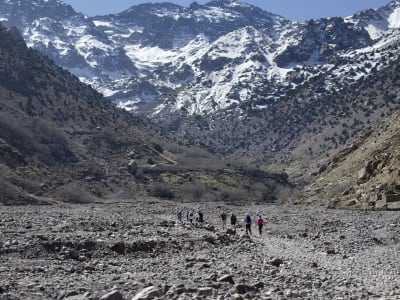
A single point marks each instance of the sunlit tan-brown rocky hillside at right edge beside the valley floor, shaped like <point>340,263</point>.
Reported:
<point>366,174</point>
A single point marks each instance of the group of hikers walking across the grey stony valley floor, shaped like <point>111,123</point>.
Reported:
<point>198,218</point>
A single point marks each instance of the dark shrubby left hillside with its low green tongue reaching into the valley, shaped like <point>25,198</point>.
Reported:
<point>62,141</point>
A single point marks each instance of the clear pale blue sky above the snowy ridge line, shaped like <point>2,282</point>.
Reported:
<point>291,9</point>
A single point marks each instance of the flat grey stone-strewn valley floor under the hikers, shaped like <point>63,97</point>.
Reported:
<point>137,250</point>
